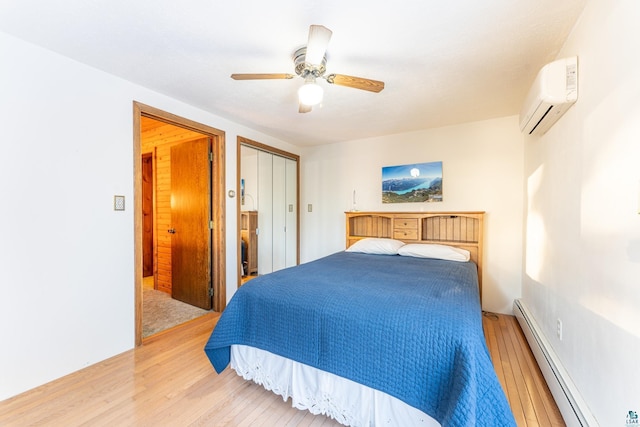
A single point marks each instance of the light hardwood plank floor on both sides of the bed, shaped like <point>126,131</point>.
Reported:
<point>169,381</point>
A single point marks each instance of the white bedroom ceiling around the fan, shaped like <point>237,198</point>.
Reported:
<point>443,62</point>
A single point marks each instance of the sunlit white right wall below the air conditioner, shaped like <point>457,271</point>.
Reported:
<point>583,223</point>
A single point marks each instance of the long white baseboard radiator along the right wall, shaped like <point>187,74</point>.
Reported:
<point>571,405</point>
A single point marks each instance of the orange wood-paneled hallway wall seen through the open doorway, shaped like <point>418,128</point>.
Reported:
<point>157,138</point>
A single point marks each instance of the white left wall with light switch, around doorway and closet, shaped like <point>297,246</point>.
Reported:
<point>66,257</point>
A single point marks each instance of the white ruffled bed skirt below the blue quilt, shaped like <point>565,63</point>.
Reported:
<point>320,392</point>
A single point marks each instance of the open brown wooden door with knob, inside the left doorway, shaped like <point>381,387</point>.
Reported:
<point>190,223</point>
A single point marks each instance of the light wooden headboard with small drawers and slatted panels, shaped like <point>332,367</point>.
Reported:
<point>459,229</point>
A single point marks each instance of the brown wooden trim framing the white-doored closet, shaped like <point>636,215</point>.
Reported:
<point>272,150</point>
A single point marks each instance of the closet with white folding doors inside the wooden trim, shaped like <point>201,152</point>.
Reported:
<point>269,190</point>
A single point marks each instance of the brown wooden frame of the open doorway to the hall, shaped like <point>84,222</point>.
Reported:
<point>218,205</point>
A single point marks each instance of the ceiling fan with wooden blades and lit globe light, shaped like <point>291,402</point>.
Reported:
<point>310,63</point>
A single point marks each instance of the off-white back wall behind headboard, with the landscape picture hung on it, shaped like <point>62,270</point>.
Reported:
<point>482,171</point>
